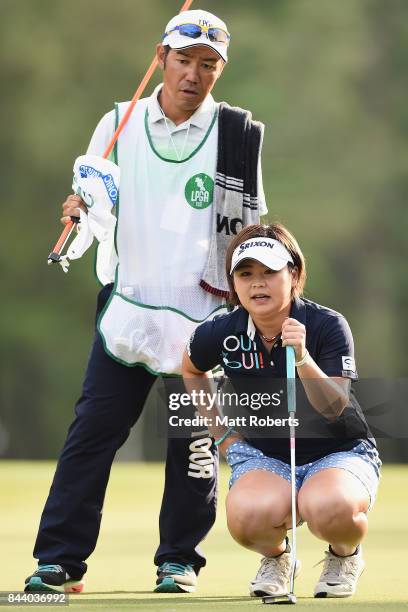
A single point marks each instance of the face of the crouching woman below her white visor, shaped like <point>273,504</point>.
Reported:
<point>262,291</point>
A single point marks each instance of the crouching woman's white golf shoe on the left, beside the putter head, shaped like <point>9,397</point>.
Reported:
<point>273,576</point>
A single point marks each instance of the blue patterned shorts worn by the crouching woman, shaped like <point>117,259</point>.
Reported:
<point>362,461</point>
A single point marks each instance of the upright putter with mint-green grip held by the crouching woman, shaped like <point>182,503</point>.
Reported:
<point>290,598</point>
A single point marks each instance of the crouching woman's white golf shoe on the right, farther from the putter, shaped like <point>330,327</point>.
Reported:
<point>340,575</point>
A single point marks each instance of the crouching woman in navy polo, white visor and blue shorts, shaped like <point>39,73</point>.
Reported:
<point>336,474</point>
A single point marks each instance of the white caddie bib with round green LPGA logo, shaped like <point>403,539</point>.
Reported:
<point>163,237</point>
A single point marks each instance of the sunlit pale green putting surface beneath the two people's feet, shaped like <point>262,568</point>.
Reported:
<point>121,572</point>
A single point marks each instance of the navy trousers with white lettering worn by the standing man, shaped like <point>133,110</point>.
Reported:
<point>112,400</point>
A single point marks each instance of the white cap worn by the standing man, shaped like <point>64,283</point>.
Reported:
<point>202,18</point>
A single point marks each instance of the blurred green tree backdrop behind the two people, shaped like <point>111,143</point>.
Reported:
<point>329,80</point>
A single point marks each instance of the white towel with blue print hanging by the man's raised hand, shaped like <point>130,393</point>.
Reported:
<point>96,180</point>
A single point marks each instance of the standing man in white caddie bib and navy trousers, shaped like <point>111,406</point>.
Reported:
<point>190,179</point>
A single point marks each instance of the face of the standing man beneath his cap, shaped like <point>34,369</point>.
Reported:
<point>189,75</point>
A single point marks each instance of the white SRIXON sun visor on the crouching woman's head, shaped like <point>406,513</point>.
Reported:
<point>268,251</point>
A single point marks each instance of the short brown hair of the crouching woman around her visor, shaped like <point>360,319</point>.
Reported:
<point>278,232</point>
